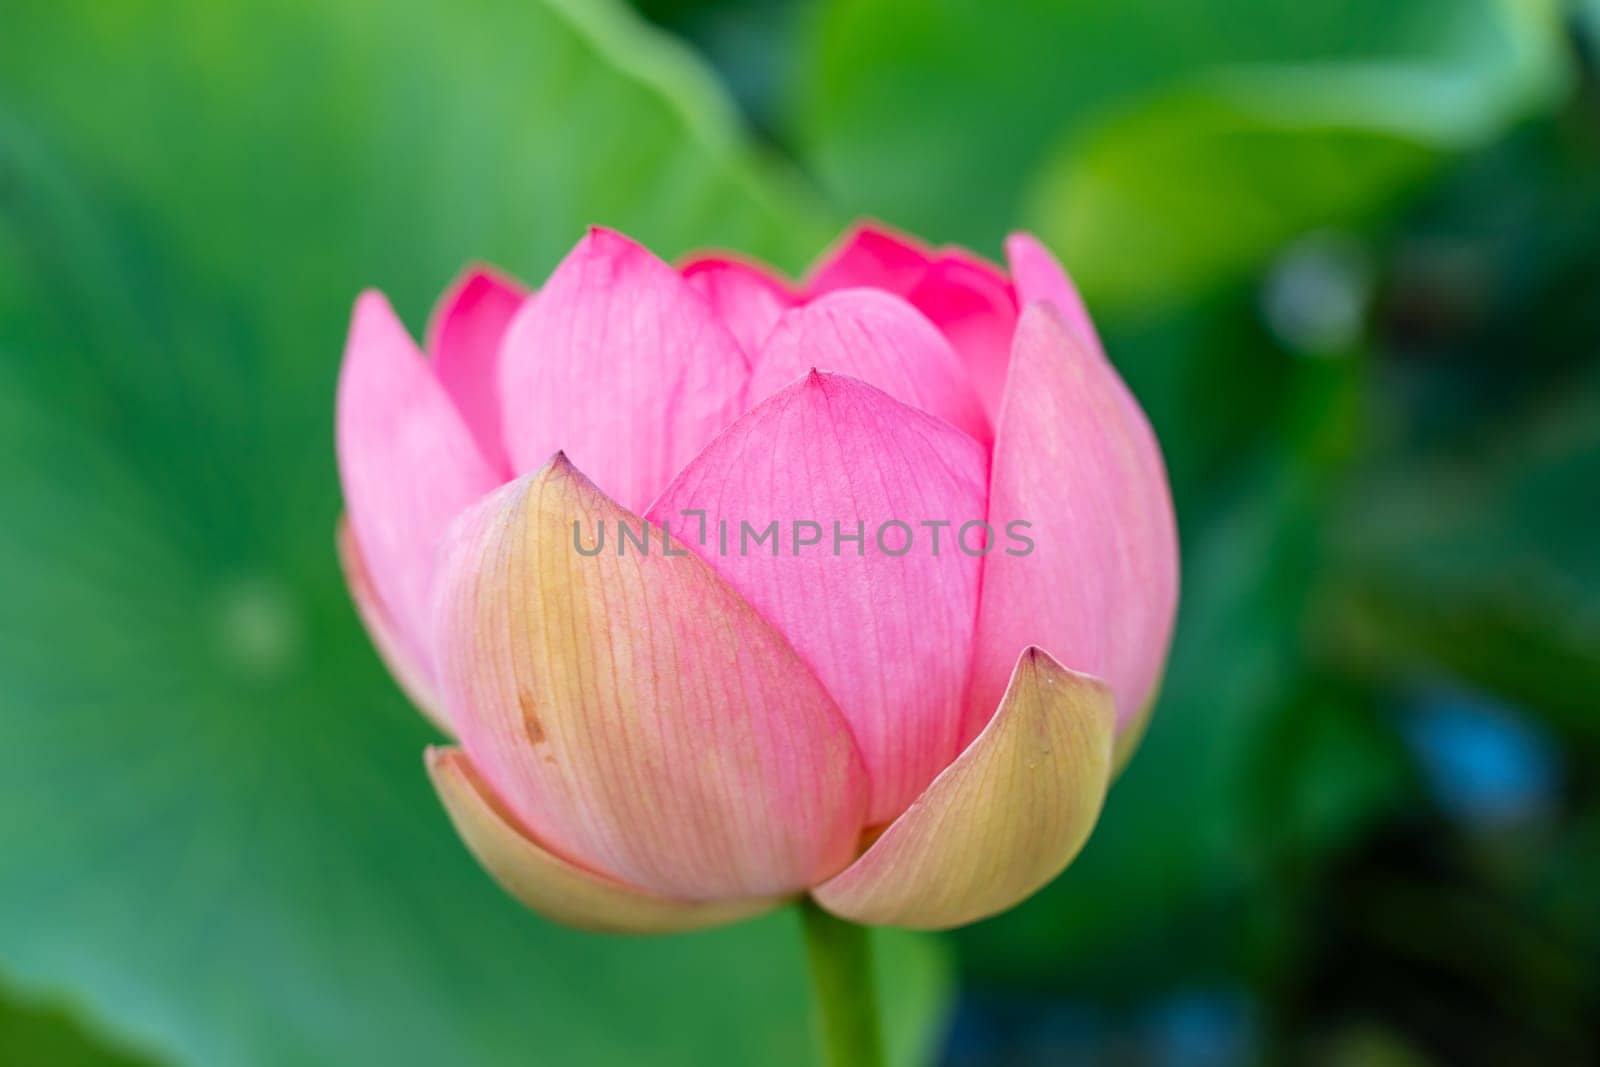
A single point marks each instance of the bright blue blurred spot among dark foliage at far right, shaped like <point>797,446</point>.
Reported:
<point>1487,764</point>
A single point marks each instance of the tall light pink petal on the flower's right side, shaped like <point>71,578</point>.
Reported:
<point>1076,460</point>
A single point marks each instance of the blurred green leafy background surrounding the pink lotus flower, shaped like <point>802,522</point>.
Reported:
<point>1346,254</point>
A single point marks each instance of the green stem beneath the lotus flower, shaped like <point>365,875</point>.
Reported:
<point>847,1007</point>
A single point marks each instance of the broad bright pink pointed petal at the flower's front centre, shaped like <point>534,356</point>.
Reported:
<point>890,636</point>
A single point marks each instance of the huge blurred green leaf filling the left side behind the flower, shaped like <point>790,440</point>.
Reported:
<point>218,836</point>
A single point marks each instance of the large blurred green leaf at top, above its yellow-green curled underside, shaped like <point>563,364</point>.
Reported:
<point>940,114</point>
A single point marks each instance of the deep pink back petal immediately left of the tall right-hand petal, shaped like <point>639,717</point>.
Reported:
<point>974,306</point>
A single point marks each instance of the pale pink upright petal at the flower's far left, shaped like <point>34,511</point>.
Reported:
<point>409,466</point>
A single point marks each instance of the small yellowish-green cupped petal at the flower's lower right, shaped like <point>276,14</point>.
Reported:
<point>1001,821</point>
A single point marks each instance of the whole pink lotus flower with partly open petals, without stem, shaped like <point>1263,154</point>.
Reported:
<point>916,733</point>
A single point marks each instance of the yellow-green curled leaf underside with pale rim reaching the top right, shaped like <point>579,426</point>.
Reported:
<point>1209,178</point>
